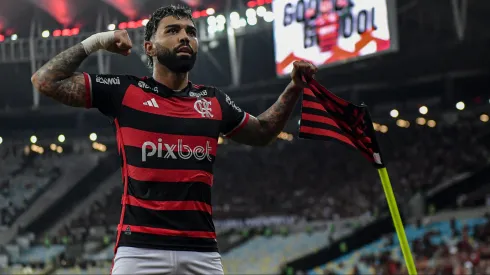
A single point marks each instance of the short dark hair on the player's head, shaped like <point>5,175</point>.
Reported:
<point>179,12</point>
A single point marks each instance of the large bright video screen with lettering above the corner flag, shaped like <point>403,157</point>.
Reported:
<point>326,32</point>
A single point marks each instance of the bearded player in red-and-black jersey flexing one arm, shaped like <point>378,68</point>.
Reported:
<point>167,130</point>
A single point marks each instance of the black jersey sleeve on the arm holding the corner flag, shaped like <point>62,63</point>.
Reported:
<point>233,117</point>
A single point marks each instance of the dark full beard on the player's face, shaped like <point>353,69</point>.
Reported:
<point>174,62</point>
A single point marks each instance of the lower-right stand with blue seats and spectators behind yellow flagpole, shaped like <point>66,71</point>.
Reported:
<point>447,243</point>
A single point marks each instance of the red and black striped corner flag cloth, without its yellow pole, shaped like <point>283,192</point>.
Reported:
<point>325,116</point>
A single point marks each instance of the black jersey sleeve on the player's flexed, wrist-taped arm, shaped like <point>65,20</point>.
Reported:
<point>105,92</point>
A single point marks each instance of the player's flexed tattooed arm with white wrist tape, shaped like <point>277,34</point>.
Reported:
<point>58,79</point>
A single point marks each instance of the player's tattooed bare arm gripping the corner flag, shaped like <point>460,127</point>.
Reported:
<point>262,130</point>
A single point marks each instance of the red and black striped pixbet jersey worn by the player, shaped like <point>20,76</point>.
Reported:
<point>167,141</point>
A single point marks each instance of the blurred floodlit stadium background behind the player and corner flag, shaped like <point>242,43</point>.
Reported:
<point>296,206</point>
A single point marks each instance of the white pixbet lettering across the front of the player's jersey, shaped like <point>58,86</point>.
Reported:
<point>175,151</point>
